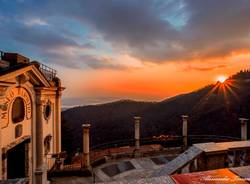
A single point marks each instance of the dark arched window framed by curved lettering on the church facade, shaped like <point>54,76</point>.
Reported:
<point>18,110</point>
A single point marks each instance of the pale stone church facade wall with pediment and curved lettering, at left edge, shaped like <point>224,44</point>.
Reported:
<point>32,96</point>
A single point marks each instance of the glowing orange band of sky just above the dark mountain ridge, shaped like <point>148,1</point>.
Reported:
<point>153,81</point>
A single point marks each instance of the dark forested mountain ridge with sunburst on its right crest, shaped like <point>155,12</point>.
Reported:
<point>213,110</point>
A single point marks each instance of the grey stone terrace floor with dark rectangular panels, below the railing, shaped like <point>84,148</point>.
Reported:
<point>142,170</point>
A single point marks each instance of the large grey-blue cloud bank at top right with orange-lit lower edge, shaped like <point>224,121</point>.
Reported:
<point>148,30</point>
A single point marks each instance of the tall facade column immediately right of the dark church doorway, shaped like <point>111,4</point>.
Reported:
<point>40,173</point>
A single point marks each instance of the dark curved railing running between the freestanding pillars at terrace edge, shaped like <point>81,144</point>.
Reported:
<point>125,148</point>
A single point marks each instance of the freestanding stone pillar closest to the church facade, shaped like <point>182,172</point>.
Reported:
<point>85,156</point>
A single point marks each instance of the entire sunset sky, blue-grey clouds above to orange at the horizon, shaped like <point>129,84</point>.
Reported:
<point>106,50</point>
